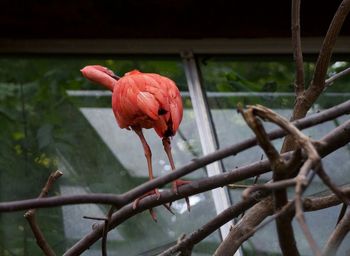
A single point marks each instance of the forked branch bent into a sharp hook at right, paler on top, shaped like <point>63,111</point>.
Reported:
<point>284,226</point>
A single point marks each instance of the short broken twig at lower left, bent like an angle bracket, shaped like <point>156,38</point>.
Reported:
<point>30,216</point>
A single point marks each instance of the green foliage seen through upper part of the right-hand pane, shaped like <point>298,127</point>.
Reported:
<point>272,81</point>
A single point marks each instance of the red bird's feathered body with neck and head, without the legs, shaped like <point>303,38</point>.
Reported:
<point>144,100</point>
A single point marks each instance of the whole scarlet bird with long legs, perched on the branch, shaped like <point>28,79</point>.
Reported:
<point>144,101</point>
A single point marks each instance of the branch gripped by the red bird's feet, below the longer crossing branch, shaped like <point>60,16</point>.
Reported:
<point>340,136</point>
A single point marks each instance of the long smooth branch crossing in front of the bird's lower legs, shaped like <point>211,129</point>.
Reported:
<point>123,199</point>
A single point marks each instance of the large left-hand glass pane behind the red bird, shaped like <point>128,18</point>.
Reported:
<point>53,118</point>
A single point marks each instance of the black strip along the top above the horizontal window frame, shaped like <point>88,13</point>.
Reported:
<point>121,19</point>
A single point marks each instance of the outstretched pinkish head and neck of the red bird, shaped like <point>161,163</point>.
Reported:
<point>100,75</point>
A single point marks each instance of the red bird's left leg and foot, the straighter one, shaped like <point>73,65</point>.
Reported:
<point>148,155</point>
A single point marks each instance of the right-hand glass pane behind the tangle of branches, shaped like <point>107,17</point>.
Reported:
<point>247,81</point>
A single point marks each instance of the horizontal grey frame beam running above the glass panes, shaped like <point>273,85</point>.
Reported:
<point>311,45</point>
